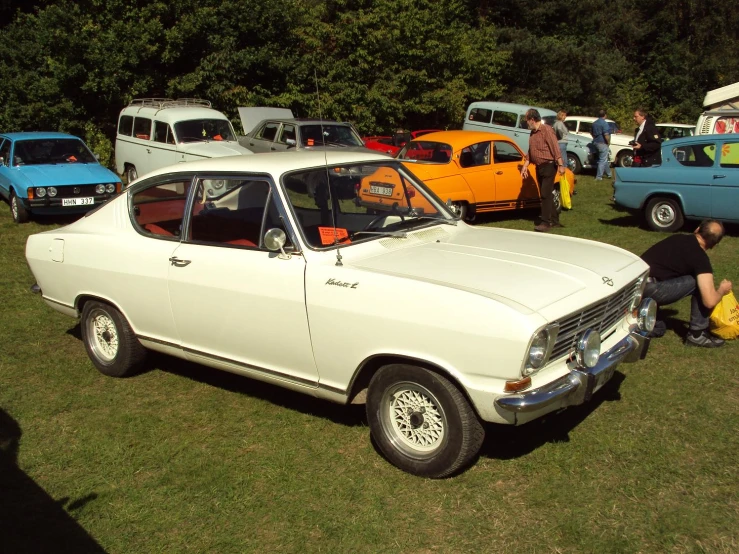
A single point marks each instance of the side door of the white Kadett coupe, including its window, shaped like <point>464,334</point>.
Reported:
<point>232,300</point>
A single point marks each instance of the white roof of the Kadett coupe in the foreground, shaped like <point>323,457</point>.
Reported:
<point>275,163</point>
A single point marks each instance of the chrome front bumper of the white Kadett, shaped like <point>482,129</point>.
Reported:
<point>578,385</point>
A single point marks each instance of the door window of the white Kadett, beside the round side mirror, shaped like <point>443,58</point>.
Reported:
<point>232,212</point>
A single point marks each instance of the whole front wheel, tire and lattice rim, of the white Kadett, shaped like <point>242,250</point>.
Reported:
<point>421,422</point>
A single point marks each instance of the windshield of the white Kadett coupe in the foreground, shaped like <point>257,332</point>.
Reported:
<point>341,205</point>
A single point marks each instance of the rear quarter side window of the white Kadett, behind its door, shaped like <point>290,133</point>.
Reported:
<point>159,210</point>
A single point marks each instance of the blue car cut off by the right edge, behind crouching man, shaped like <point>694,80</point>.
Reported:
<point>698,179</point>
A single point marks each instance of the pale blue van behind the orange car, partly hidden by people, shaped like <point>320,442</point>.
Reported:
<point>509,120</point>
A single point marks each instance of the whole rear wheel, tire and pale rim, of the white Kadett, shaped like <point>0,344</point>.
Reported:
<point>109,340</point>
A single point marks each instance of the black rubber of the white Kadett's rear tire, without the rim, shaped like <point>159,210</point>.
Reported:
<point>131,354</point>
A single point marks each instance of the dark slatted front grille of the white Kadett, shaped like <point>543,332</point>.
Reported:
<point>601,317</point>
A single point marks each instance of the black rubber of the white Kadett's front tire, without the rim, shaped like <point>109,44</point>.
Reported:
<point>465,431</point>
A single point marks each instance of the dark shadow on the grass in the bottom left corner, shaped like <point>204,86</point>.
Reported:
<point>32,521</point>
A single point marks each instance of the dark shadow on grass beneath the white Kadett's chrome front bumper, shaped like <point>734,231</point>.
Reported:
<point>504,442</point>
